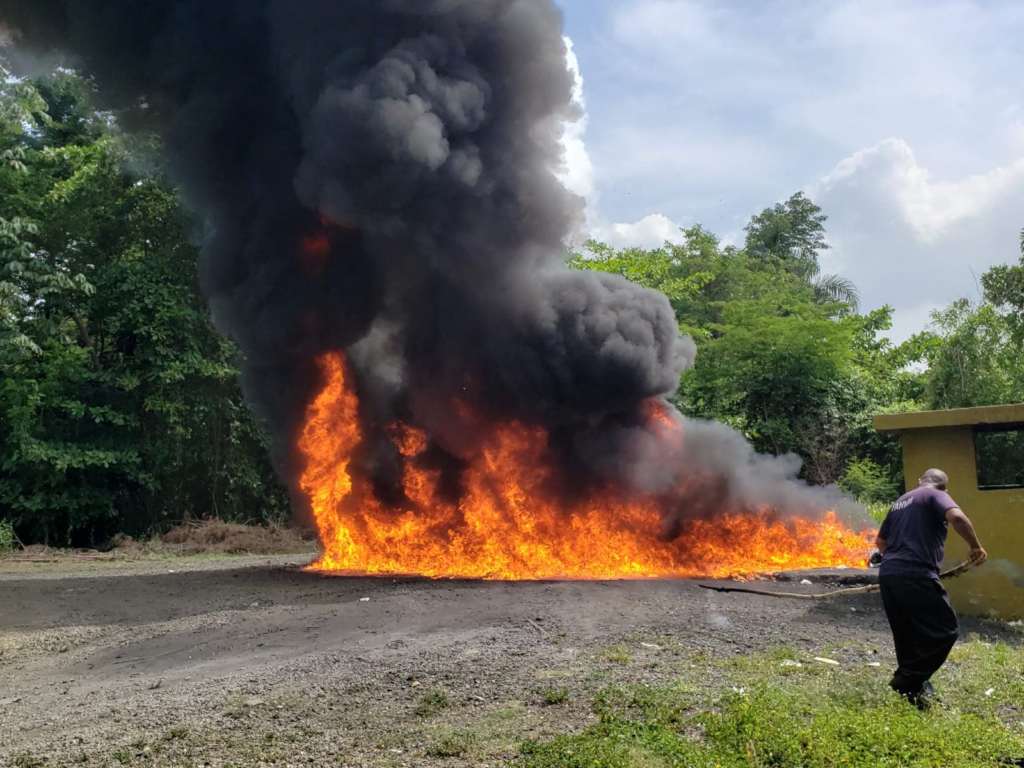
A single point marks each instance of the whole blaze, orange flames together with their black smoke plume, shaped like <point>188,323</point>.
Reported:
<point>386,241</point>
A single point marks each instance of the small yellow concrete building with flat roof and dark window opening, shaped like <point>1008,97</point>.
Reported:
<point>979,449</point>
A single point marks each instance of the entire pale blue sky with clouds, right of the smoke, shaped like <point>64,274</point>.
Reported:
<point>903,119</point>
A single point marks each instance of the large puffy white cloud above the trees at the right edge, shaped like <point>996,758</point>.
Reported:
<point>914,242</point>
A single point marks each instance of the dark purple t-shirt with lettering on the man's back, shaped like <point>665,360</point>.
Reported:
<point>915,533</point>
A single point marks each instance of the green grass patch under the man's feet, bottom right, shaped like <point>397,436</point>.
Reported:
<point>763,714</point>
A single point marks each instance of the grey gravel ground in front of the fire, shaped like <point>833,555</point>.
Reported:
<point>253,662</point>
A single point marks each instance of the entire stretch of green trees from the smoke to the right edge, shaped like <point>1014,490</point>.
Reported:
<point>784,358</point>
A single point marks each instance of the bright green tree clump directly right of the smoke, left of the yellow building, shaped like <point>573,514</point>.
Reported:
<point>781,356</point>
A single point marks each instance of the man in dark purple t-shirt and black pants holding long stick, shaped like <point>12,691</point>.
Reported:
<point>913,542</point>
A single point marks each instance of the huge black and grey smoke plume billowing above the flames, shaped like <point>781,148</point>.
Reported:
<point>377,177</point>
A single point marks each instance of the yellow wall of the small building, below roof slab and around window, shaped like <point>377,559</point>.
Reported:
<point>998,587</point>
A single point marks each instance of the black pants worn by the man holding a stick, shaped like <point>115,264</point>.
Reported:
<point>925,628</point>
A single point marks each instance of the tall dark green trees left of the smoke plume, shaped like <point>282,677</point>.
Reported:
<point>120,408</point>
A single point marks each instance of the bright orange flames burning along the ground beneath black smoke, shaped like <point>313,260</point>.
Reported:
<point>504,527</point>
